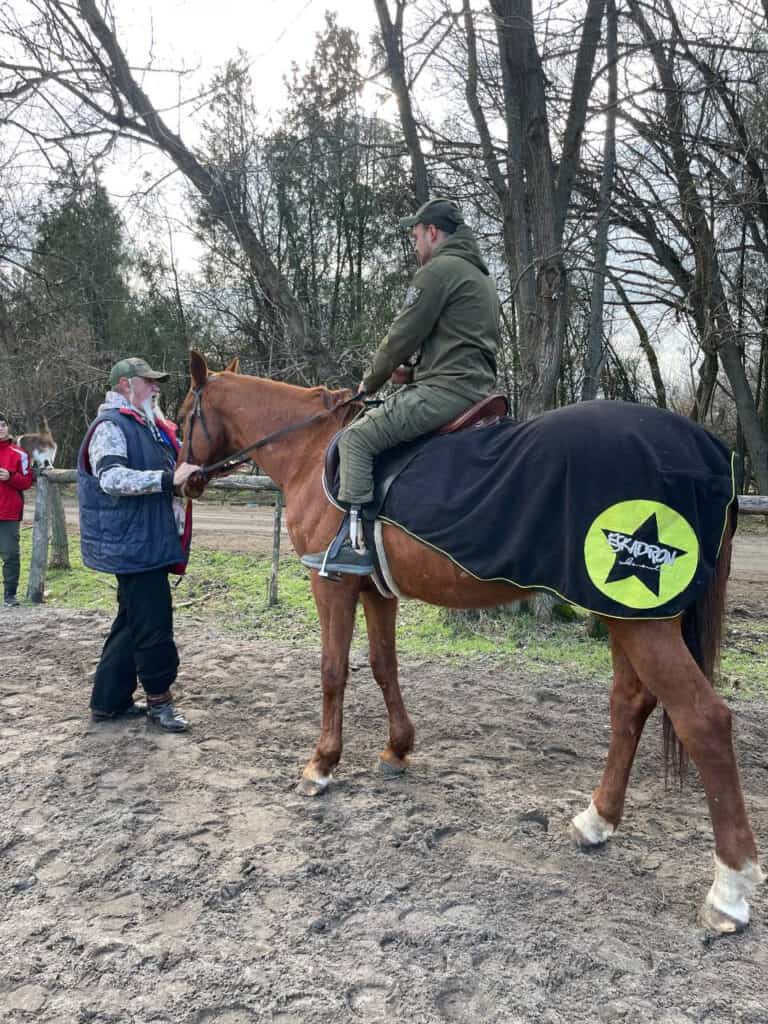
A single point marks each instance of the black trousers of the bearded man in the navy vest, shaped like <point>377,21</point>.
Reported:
<point>141,646</point>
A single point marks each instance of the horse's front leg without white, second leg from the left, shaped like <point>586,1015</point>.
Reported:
<point>381,615</point>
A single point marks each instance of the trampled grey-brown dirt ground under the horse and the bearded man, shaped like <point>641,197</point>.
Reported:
<point>148,878</point>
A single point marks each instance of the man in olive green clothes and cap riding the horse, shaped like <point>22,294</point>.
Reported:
<point>442,347</point>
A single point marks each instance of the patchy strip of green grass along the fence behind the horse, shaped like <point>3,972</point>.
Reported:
<point>231,591</point>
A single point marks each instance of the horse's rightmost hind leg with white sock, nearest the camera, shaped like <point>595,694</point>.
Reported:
<point>703,724</point>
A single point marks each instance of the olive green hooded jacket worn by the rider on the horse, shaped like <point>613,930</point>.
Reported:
<point>449,326</point>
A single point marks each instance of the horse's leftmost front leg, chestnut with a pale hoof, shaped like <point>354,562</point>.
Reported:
<point>336,605</point>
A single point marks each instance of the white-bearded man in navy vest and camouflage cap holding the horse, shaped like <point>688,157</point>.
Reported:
<point>134,525</point>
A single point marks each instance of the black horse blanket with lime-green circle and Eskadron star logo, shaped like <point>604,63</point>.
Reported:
<point>616,507</point>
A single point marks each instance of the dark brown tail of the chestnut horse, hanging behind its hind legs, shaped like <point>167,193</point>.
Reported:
<point>703,631</point>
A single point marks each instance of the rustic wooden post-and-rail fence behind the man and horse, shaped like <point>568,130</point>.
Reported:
<point>49,500</point>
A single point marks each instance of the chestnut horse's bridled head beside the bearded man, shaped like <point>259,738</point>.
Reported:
<point>204,430</point>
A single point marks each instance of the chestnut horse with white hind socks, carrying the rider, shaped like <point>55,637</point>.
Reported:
<point>228,412</point>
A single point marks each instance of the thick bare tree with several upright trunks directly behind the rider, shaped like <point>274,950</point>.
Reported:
<point>532,191</point>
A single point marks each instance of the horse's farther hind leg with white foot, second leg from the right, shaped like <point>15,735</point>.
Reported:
<point>631,703</point>
